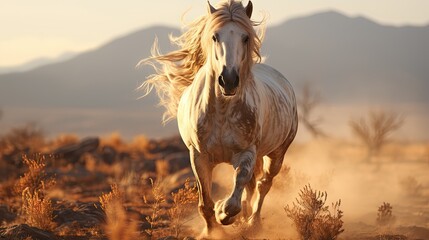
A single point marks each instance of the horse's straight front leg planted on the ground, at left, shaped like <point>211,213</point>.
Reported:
<point>203,168</point>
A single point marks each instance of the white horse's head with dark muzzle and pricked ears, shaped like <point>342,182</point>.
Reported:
<point>232,41</point>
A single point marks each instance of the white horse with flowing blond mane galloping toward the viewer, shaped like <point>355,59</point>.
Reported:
<point>230,109</point>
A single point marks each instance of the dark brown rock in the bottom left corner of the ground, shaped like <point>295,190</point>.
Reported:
<point>24,231</point>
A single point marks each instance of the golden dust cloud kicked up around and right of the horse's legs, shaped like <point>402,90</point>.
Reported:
<point>341,168</point>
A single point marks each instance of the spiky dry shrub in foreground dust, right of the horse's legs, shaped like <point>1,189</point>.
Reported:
<point>312,218</point>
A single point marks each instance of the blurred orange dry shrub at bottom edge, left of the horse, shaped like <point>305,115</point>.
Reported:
<point>118,226</point>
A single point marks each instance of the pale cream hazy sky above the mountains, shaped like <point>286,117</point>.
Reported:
<point>47,28</point>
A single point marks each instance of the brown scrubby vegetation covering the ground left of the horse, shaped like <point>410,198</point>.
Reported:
<point>63,194</point>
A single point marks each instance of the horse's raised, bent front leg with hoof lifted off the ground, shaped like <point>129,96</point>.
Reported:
<point>243,163</point>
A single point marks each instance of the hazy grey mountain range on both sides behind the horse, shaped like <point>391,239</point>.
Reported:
<point>350,60</point>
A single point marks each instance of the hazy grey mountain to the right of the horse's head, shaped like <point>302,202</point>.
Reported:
<point>353,59</point>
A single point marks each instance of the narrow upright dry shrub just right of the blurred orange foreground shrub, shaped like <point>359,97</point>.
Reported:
<point>154,219</point>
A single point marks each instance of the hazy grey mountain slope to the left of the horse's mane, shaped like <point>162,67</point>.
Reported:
<point>90,94</point>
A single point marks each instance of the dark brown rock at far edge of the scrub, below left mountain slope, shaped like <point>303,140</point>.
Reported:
<point>73,152</point>
